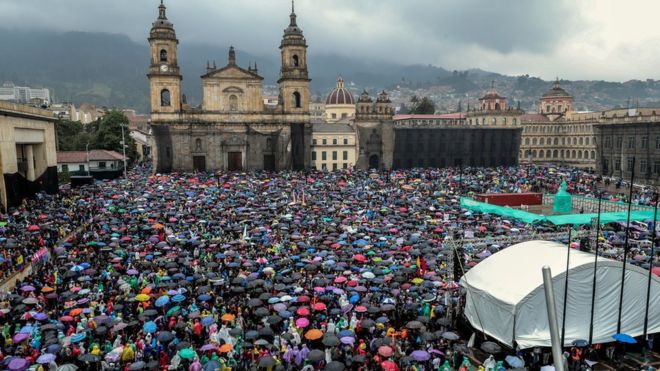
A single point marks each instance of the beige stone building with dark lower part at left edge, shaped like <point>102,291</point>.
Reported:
<point>27,153</point>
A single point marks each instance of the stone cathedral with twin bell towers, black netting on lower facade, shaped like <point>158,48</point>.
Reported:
<point>232,130</point>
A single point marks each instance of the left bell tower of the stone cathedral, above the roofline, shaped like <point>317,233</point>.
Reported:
<point>164,75</point>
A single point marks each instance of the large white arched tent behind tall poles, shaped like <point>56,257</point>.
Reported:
<point>506,299</point>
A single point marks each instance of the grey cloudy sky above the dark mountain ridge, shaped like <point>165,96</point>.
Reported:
<point>586,39</point>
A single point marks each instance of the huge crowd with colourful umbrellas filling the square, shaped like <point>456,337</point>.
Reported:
<point>289,271</point>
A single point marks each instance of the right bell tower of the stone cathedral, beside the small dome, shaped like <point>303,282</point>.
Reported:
<point>294,79</point>
